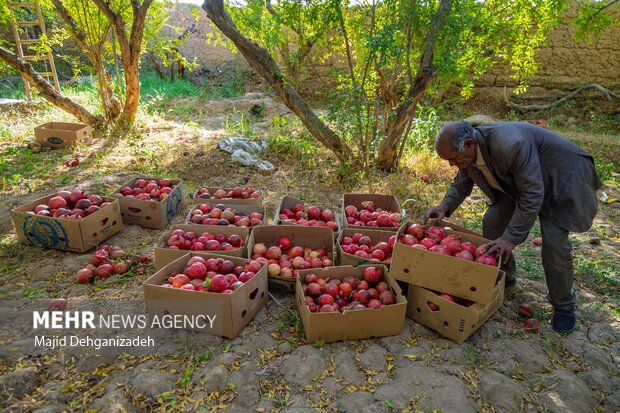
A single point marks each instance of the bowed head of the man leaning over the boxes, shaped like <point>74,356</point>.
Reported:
<point>455,143</point>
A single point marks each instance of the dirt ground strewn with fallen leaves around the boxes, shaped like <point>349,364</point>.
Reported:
<point>502,368</point>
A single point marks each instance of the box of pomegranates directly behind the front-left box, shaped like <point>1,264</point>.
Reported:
<point>179,239</point>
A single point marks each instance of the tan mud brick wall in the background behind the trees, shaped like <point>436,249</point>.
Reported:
<point>563,64</point>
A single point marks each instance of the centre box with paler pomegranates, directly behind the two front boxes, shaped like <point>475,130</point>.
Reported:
<point>288,249</point>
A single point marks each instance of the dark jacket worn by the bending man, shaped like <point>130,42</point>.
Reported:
<point>541,171</point>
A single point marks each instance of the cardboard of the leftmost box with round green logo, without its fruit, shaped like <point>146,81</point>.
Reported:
<point>66,234</point>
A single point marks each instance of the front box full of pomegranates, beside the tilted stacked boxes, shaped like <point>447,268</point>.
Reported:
<point>349,303</point>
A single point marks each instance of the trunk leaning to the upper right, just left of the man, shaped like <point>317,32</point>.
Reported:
<point>388,150</point>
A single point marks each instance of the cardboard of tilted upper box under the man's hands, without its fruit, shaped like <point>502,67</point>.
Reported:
<point>461,278</point>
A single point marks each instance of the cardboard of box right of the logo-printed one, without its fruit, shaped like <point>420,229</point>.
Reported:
<point>150,214</point>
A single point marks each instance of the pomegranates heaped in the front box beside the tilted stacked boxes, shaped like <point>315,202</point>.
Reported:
<point>349,294</point>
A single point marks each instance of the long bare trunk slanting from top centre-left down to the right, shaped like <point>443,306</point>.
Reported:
<point>266,66</point>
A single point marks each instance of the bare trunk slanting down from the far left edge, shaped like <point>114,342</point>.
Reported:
<point>46,90</point>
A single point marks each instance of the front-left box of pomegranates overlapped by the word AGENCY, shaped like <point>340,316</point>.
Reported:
<point>224,292</point>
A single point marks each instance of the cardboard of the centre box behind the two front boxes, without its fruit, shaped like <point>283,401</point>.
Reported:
<point>313,237</point>
